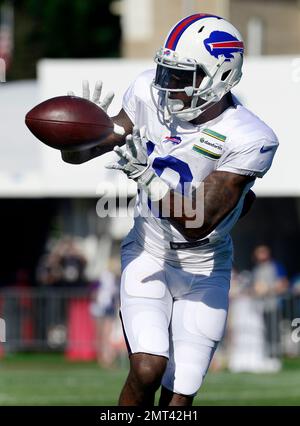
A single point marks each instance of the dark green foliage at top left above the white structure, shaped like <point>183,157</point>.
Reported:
<point>62,29</point>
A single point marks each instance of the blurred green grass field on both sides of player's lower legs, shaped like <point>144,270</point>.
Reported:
<point>50,380</point>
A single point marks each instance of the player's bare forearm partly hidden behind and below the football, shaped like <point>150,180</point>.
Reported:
<point>121,121</point>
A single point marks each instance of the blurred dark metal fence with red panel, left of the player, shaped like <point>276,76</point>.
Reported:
<point>52,319</point>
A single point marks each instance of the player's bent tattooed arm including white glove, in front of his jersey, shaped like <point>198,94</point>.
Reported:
<point>195,217</point>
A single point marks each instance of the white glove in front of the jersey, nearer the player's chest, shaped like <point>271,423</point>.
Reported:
<point>134,162</point>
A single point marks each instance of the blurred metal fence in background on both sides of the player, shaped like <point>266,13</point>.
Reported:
<point>49,319</point>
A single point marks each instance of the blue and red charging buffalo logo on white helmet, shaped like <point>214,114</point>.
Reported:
<point>222,43</point>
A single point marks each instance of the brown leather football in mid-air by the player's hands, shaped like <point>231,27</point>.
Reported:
<point>69,123</point>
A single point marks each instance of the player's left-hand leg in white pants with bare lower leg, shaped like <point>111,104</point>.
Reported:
<point>146,306</point>
